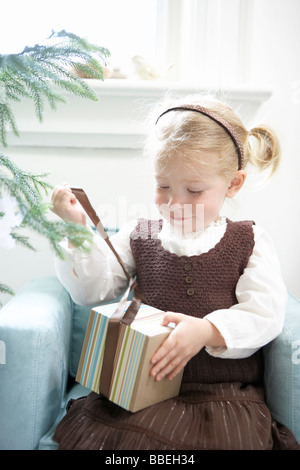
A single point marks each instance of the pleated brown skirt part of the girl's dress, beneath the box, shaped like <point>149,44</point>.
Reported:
<point>212,417</point>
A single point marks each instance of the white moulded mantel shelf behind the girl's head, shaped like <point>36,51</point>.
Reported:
<point>115,120</point>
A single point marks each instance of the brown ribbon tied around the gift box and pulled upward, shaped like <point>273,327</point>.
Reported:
<point>118,315</point>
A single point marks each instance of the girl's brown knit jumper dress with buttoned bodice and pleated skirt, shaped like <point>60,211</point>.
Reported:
<point>221,403</point>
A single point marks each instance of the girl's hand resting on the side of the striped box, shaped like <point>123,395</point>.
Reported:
<point>189,336</point>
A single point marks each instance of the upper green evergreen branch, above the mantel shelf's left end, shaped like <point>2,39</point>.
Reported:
<point>32,72</point>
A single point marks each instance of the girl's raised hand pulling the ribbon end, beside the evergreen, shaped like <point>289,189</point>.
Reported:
<point>66,206</point>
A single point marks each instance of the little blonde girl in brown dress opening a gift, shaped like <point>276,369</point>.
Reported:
<point>218,281</point>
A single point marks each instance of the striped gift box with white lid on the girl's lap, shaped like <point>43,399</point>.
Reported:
<point>130,383</point>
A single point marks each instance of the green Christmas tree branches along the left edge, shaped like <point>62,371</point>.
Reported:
<point>37,73</point>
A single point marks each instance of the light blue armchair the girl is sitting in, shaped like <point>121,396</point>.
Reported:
<point>41,334</point>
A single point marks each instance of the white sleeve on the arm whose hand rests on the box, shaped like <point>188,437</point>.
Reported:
<point>259,315</point>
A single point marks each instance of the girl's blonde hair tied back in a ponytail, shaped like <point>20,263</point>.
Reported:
<point>188,134</point>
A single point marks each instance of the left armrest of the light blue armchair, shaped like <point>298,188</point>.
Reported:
<point>35,329</point>
